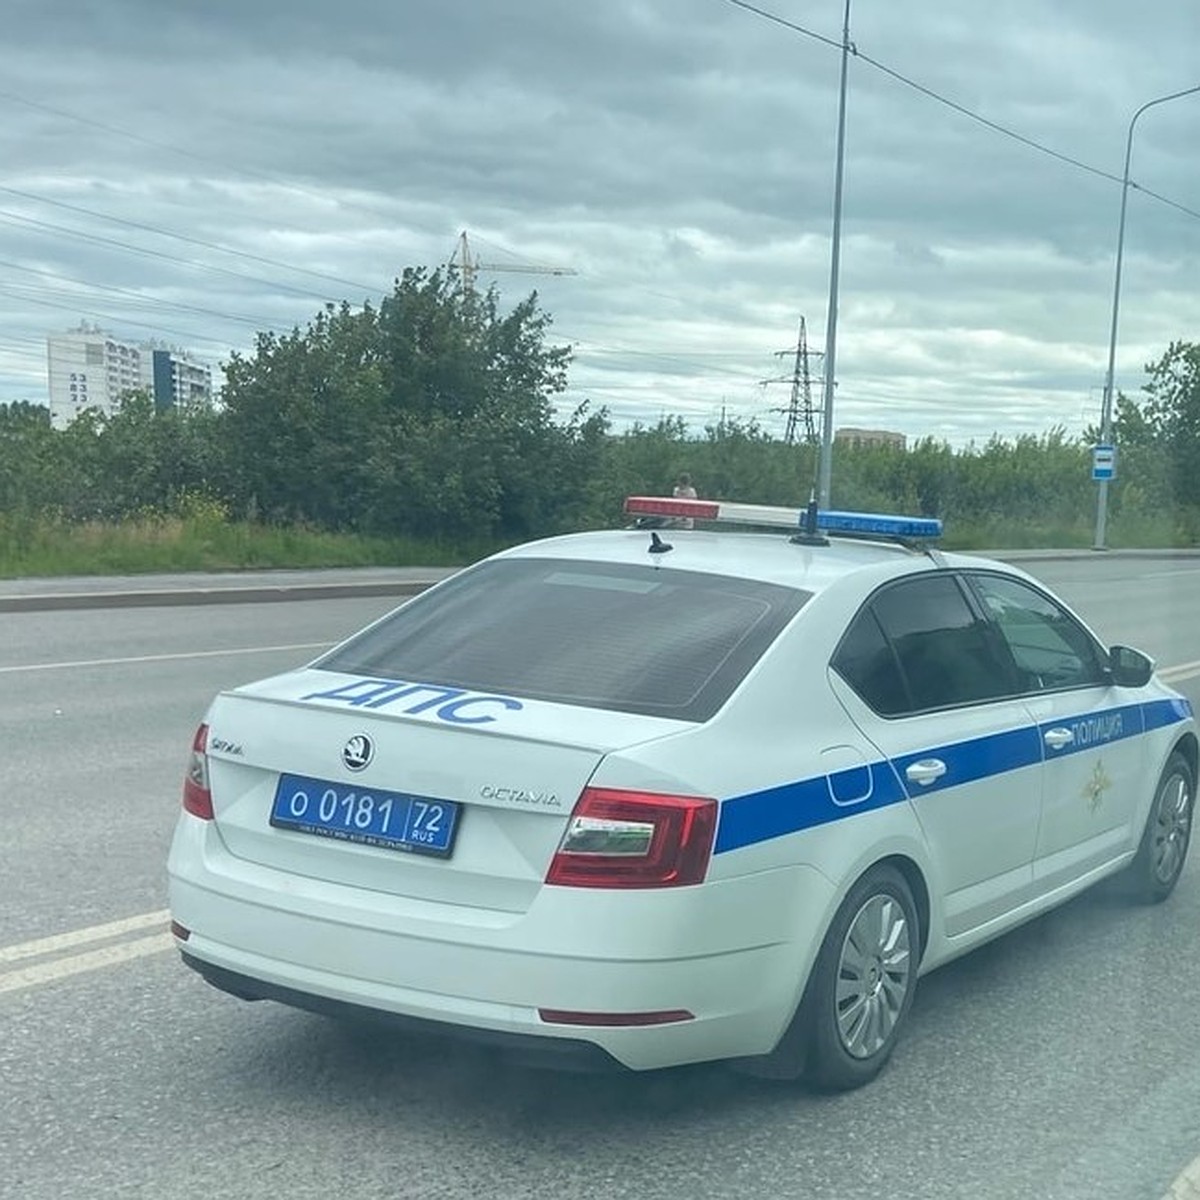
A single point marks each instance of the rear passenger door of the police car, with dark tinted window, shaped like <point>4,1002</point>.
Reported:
<point>927,682</point>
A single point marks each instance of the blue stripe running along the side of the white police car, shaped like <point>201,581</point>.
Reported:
<point>807,803</point>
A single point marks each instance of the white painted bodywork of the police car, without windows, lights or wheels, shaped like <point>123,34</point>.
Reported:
<point>812,787</point>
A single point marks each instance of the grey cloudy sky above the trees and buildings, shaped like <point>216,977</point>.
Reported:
<point>195,171</point>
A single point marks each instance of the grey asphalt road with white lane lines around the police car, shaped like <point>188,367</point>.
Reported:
<point>1063,1061</point>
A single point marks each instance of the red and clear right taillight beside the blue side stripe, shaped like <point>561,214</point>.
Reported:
<point>626,839</point>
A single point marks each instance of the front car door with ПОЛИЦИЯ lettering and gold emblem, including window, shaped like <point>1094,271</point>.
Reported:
<point>1096,765</point>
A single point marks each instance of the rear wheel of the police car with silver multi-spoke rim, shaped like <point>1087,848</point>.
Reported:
<point>863,982</point>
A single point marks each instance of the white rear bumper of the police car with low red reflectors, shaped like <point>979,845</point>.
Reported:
<point>734,953</point>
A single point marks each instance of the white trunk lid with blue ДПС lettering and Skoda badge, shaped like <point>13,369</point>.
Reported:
<point>514,767</point>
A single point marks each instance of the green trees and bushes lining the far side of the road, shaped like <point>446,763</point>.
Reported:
<point>431,416</point>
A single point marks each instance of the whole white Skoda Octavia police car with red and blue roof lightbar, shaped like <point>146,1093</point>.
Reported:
<point>655,797</point>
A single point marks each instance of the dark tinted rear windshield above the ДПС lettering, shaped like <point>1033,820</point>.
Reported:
<point>633,639</point>
